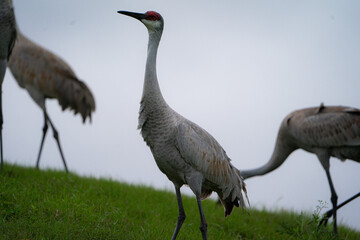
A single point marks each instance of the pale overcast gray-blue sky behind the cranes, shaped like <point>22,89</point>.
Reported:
<point>236,68</point>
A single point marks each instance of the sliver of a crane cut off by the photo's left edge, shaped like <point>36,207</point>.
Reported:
<point>7,41</point>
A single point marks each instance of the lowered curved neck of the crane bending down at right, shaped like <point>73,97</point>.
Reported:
<point>281,152</point>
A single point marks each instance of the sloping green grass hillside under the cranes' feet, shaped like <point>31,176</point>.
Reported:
<point>54,205</point>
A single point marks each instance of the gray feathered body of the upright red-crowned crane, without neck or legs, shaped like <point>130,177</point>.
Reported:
<point>183,149</point>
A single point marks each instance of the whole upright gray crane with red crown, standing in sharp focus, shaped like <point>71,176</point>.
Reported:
<point>183,151</point>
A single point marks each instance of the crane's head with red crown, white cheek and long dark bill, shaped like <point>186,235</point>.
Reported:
<point>152,20</point>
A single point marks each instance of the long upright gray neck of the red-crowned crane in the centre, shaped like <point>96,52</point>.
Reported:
<point>151,89</point>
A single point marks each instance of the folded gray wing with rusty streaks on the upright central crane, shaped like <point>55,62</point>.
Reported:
<point>199,149</point>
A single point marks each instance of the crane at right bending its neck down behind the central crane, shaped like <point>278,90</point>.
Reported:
<point>332,131</point>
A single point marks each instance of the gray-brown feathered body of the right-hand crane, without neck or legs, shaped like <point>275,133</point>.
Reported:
<point>335,129</point>
